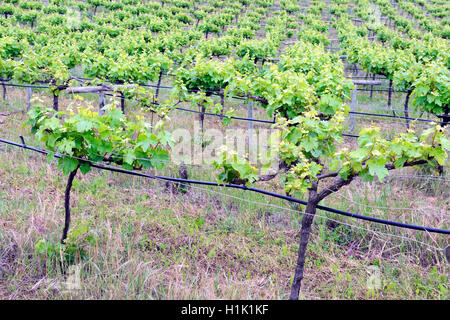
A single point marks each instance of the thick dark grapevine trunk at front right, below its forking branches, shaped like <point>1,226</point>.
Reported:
<point>307,221</point>
